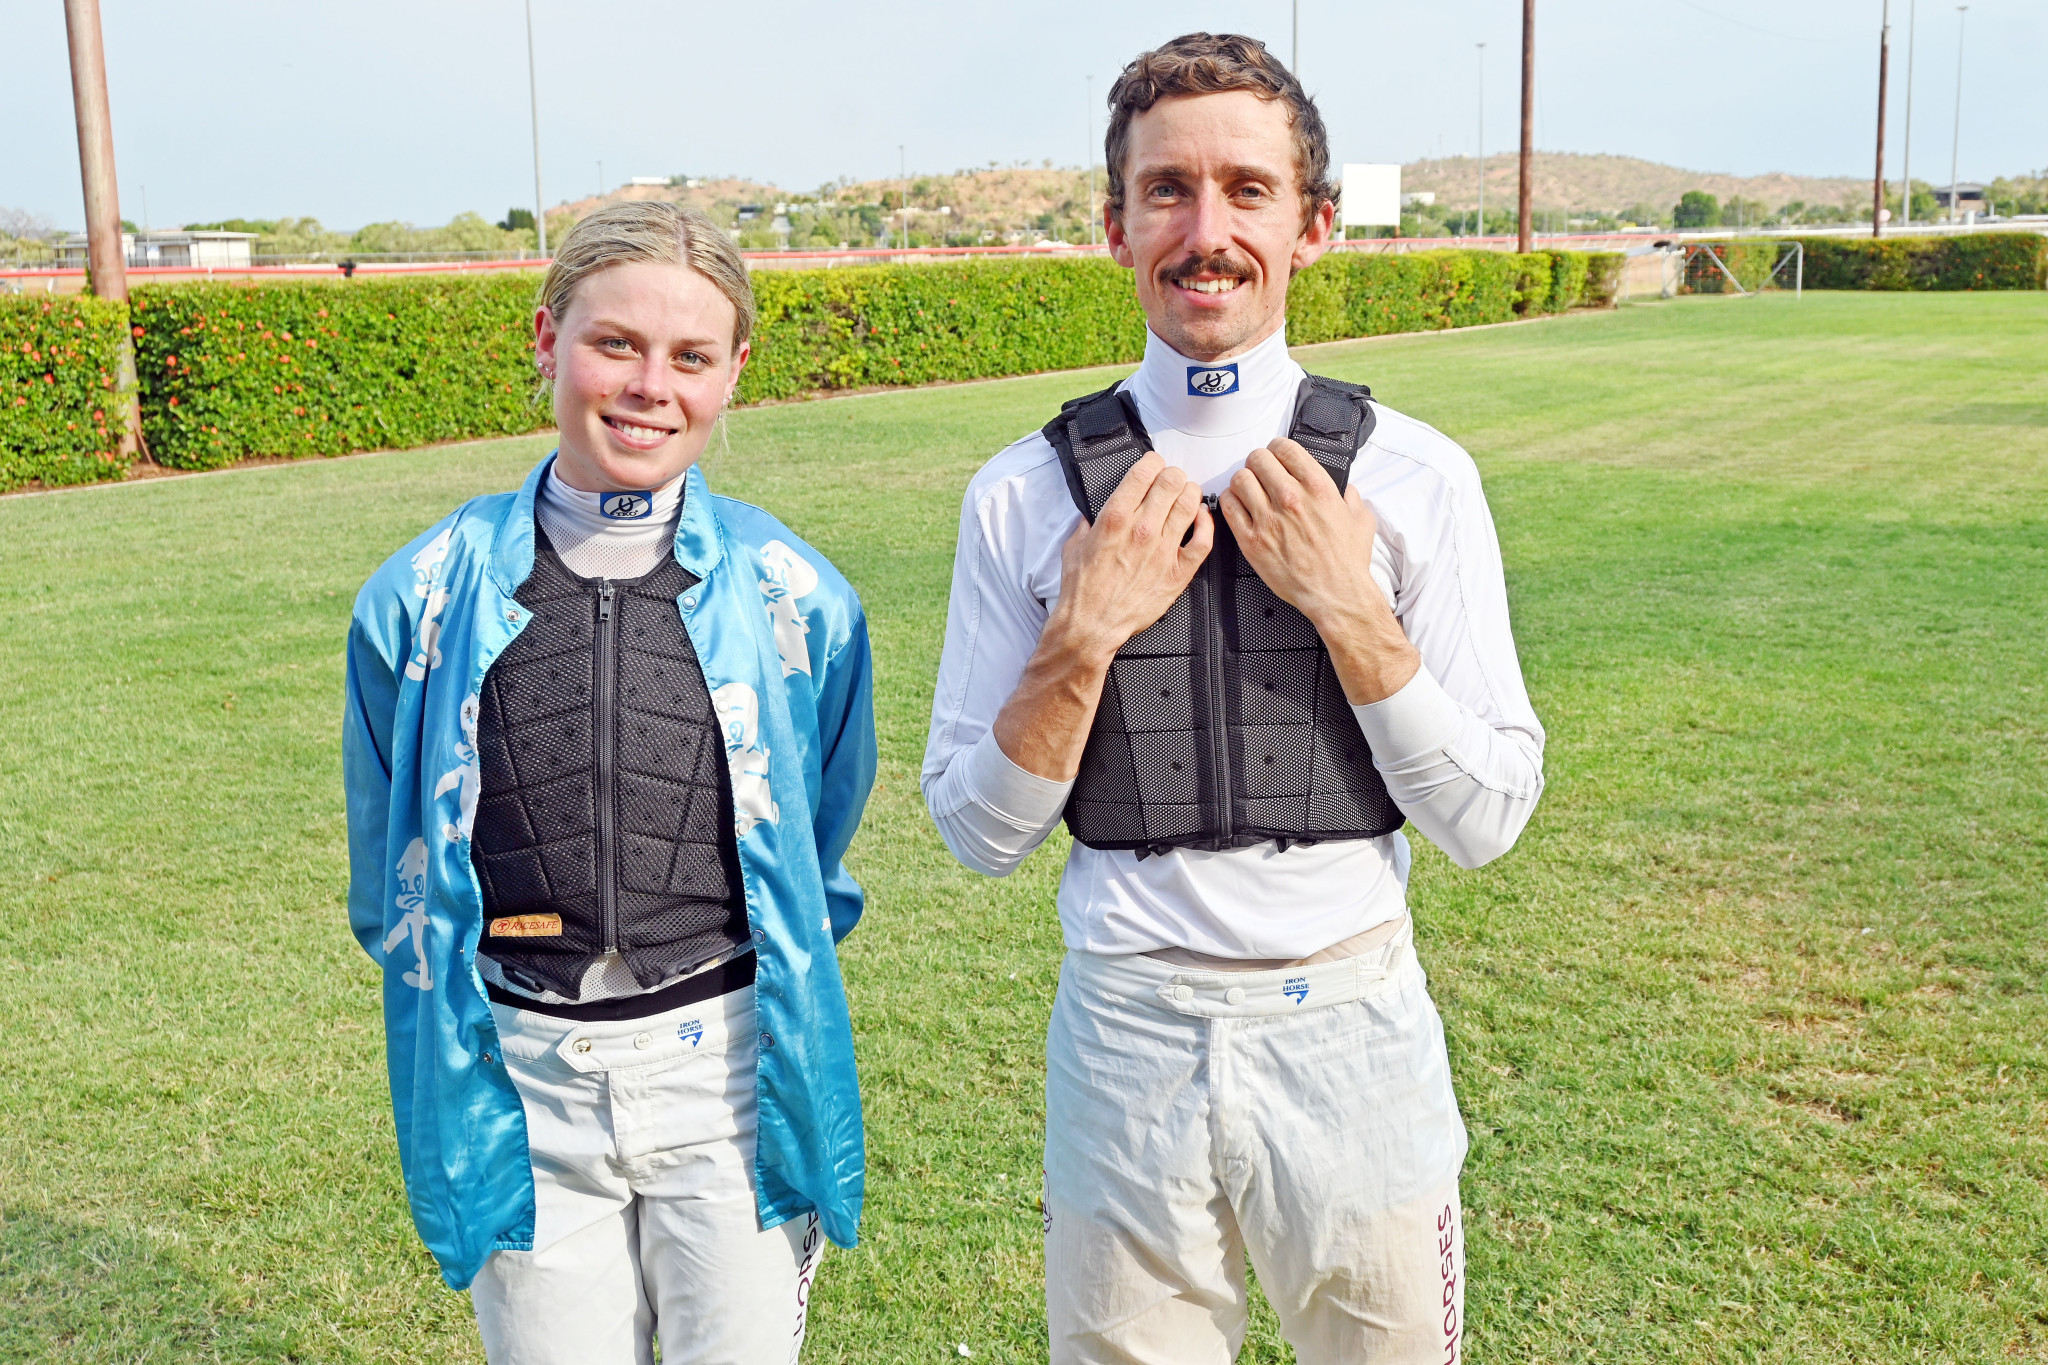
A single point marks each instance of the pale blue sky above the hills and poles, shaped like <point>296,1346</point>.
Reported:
<point>386,109</point>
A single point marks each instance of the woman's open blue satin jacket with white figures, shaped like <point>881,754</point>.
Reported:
<point>785,650</point>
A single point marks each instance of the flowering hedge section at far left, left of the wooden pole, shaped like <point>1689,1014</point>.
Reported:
<point>60,414</point>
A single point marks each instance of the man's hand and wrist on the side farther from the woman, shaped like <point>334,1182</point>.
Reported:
<point>1314,547</point>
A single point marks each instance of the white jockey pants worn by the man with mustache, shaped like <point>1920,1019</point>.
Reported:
<point>1299,1116</point>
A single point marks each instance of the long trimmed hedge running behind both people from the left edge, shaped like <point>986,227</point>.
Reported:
<point>232,371</point>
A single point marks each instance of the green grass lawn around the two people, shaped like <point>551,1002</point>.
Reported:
<point>1750,1028</point>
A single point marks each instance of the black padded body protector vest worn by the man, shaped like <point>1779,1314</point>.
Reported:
<point>1224,723</point>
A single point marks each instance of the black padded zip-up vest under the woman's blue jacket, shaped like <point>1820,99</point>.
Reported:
<point>605,818</point>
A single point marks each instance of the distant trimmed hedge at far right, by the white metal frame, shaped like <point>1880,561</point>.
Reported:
<point>1977,261</point>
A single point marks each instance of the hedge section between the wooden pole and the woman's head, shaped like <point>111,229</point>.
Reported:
<point>232,371</point>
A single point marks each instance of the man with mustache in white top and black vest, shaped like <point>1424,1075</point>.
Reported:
<point>1236,627</point>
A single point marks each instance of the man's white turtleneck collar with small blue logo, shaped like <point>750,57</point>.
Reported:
<point>1207,419</point>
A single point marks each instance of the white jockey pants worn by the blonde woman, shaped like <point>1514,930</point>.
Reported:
<point>642,1141</point>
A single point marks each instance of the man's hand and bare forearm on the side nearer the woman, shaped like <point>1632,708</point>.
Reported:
<point>1115,578</point>
